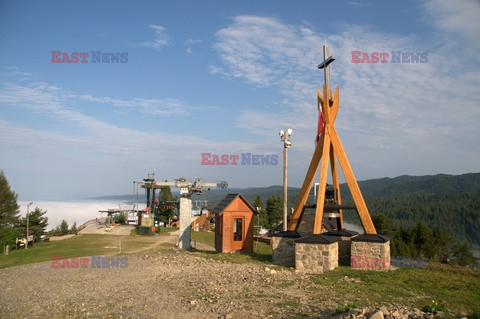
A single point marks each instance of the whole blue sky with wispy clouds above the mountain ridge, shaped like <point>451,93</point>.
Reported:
<point>224,77</point>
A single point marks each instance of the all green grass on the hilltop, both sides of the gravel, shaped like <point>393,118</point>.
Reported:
<point>453,288</point>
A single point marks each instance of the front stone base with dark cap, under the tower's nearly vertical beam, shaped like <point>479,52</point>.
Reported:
<point>316,253</point>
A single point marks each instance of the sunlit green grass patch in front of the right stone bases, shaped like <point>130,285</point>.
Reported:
<point>454,288</point>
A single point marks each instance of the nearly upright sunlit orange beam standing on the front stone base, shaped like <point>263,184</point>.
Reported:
<point>317,226</point>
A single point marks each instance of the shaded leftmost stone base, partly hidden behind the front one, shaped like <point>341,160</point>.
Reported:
<point>283,246</point>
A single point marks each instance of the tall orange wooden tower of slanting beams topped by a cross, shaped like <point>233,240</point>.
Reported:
<point>329,148</point>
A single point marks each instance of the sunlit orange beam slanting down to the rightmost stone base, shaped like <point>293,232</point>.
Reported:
<point>352,183</point>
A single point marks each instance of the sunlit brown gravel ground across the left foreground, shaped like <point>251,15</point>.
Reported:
<point>172,284</point>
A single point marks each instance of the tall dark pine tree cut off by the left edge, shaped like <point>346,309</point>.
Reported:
<point>9,213</point>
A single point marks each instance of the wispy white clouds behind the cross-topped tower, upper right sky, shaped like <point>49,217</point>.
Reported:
<point>403,116</point>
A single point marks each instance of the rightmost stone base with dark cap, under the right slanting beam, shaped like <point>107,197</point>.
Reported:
<point>370,252</point>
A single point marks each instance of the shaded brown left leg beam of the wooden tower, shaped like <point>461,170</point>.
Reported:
<point>307,185</point>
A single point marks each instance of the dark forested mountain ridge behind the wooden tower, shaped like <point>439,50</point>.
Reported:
<point>447,201</point>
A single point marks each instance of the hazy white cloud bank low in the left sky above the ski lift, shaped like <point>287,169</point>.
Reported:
<point>99,157</point>
